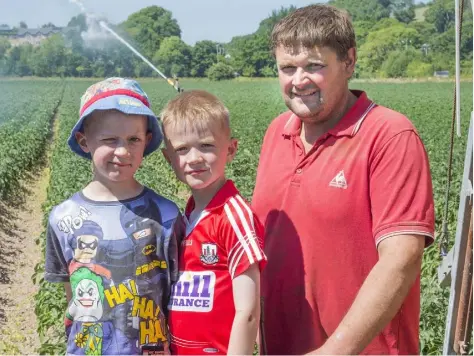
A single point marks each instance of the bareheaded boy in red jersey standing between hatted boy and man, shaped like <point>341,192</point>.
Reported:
<point>214,307</point>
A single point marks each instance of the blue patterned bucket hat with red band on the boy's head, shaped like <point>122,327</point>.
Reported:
<point>121,94</point>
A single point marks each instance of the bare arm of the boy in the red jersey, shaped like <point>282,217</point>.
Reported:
<point>246,290</point>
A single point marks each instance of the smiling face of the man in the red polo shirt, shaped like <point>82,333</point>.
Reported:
<point>313,81</point>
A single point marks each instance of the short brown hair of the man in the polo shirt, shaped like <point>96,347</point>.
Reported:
<point>315,25</point>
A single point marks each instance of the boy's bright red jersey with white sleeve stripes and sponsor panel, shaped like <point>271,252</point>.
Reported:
<point>222,243</point>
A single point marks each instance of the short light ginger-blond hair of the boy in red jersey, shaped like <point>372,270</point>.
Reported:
<point>196,110</point>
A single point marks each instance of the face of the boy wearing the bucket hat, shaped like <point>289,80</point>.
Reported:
<point>116,142</point>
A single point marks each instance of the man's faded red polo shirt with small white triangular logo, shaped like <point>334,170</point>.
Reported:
<point>325,211</point>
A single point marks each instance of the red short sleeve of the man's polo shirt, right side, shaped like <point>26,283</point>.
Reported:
<point>401,190</point>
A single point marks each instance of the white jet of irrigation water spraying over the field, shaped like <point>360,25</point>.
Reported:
<point>94,33</point>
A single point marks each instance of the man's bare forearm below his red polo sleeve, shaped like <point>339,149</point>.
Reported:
<point>380,296</point>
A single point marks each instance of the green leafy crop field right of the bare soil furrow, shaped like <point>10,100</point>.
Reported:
<point>253,105</point>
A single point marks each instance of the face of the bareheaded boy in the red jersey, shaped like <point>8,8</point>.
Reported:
<point>199,158</point>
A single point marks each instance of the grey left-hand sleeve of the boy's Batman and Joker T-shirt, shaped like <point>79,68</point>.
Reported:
<point>56,267</point>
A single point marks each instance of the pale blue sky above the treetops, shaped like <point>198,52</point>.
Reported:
<point>216,20</point>
